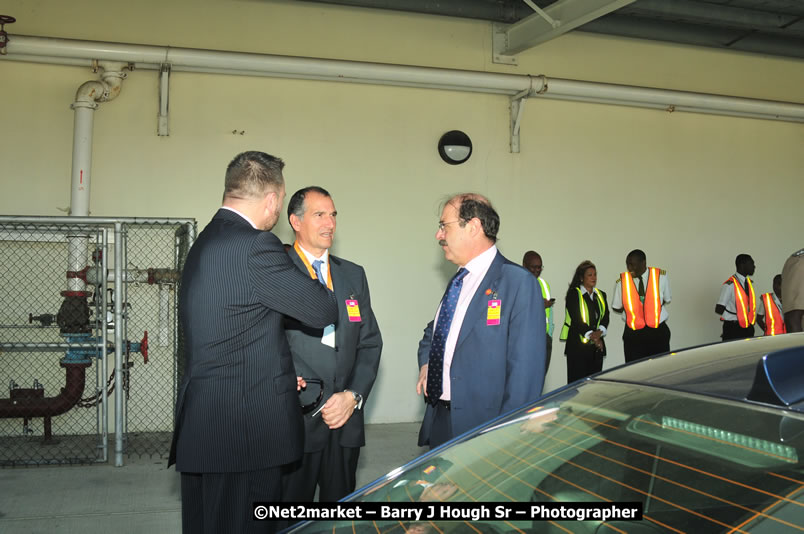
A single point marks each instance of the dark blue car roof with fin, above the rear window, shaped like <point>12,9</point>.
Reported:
<point>767,370</point>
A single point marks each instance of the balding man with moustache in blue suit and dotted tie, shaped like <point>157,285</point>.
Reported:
<point>483,354</point>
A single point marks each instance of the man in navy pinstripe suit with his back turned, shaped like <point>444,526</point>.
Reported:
<point>238,418</point>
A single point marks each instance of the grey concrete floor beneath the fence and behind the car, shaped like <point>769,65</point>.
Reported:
<point>143,495</point>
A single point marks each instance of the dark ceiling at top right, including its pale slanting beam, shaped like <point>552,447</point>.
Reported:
<point>769,27</point>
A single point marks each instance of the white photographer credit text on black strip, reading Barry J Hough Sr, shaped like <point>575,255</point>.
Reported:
<point>369,511</point>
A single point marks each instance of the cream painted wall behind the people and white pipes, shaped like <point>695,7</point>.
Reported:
<point>591,181</point>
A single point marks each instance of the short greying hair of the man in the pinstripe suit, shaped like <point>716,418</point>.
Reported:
<point>252,175</point>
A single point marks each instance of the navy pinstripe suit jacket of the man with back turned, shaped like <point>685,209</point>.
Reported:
<point>237,408</point>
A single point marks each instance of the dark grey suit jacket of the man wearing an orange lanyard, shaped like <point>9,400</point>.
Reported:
<point>352,364</point>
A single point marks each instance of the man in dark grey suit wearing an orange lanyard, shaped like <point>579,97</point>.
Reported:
<point>345,357</point>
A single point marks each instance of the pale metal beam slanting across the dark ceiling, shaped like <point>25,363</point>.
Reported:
<point>561,17</point>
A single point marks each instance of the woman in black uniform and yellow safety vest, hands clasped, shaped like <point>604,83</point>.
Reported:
<point>585,323</point>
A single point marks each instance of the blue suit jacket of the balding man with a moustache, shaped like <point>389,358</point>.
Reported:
<point>495,369</point>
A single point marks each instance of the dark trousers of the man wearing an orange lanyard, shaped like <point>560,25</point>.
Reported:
<point>332,469</point>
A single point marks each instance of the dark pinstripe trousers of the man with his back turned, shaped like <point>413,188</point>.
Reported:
<point>212,503</point>
